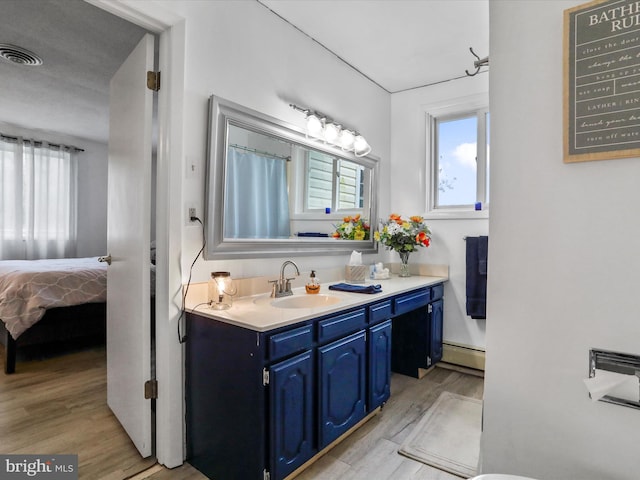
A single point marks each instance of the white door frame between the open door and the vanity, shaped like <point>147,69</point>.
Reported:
<point>170,437</point>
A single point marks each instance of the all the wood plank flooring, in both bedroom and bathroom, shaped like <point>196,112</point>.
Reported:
<point>58,405</point>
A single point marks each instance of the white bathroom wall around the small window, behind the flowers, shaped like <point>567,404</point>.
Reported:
<point>410,179</point>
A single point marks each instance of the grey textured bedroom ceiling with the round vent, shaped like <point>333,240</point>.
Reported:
<point>82,46</point>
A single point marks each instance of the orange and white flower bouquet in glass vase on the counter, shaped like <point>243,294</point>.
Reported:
<point>403,236</point>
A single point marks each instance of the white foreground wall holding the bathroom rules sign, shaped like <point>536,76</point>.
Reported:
<point>564,269</point>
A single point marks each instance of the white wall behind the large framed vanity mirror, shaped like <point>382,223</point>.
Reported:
<point>242,52</point>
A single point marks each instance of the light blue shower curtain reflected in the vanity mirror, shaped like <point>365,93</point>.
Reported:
<point>256,198</point>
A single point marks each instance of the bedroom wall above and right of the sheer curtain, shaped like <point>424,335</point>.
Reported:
<point>92,186</point>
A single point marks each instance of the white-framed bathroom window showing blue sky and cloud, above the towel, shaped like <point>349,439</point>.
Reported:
<point>458,140</point>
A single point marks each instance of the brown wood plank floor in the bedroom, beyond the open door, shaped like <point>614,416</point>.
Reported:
<point>59,406</point>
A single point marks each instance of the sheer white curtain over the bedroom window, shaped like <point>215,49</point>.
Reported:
<point>38,212</point>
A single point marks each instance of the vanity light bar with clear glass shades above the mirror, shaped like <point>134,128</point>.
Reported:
<point>320,127</point>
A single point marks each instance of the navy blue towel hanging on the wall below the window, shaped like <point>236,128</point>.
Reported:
<point>477,276</point>
